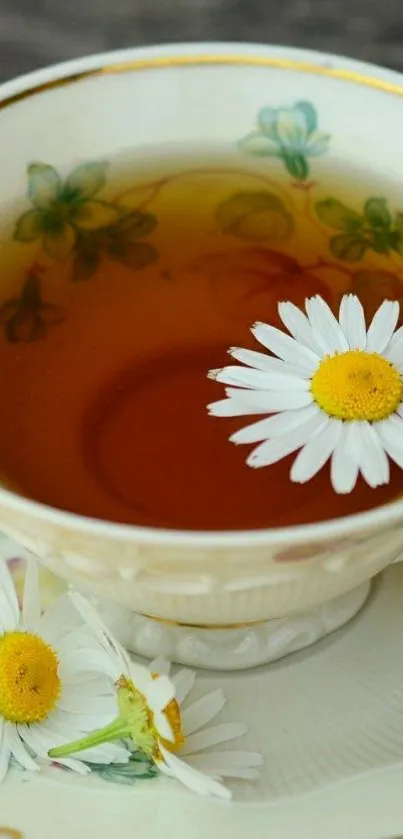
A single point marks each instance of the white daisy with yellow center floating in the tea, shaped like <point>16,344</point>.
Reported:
<point>332,387</point>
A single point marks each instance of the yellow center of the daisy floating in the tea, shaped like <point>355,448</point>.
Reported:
<point>357,385</point>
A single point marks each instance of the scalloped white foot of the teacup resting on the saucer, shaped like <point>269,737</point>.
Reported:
<point>233,648</point>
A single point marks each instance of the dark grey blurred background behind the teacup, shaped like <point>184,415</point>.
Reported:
<point>34,33</point>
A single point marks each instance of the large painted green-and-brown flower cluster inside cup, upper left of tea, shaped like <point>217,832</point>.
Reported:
<point>71,220</point>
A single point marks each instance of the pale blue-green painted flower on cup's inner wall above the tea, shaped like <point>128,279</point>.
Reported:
<point>290,134</point>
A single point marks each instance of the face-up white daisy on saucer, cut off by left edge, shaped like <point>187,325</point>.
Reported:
<point>51,683</point>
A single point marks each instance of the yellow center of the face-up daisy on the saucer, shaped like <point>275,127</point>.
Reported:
<point>29,680</point>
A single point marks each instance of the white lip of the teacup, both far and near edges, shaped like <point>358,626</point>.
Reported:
<point>204,54</point>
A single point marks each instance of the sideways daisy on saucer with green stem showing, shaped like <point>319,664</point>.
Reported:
<point>150,715</point>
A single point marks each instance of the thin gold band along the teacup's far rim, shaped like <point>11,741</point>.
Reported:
<point>211,61</point>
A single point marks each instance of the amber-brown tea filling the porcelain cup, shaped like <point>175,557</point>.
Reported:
<point>118,299</point>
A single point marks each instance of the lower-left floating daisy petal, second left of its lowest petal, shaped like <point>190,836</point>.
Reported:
<point>271,451</point>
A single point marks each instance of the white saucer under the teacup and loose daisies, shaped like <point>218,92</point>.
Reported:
<point>329,721</point>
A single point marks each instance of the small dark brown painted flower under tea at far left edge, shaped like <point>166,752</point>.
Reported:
<point>28,317</point>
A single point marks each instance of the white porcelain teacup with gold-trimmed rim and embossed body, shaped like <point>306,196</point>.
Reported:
<point>225,599</point>
